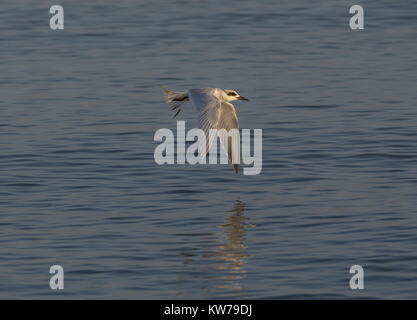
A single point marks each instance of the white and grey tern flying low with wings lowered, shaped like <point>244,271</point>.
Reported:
<point>215,112</point>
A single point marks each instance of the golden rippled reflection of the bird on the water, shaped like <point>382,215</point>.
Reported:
<point>231,254</point>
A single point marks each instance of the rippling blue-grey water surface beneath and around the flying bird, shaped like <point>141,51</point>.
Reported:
<point>79,186</point>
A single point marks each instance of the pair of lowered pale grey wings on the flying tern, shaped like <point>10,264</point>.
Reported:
<point>215,114</point>
